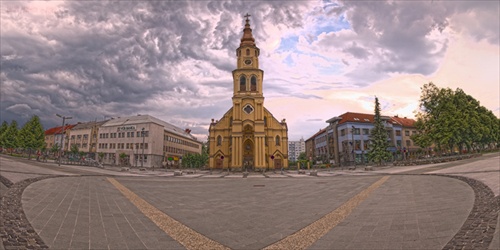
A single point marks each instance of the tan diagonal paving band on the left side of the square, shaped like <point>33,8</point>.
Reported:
<point>178,231</point>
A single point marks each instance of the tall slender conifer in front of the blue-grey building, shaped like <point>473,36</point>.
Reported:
<point>378,146</point>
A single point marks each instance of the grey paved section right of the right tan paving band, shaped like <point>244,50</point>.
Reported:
<point>407,212</point>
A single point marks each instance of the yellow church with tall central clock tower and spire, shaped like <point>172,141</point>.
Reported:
<point>248,137</point>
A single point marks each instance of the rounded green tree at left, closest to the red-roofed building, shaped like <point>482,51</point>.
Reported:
<point>31,136</point>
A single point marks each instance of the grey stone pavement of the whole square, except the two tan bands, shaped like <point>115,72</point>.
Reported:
<point>82,209</point>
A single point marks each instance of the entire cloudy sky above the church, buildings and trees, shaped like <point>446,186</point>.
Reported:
<point>173,59</point>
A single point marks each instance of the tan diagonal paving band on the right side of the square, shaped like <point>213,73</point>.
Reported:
<point>306,236</point>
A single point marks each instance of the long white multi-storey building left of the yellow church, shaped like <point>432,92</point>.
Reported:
<point>144,137</point>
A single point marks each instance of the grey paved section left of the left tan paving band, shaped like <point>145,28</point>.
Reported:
<point>89,213</point>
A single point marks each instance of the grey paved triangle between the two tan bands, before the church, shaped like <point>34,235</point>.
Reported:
<point>248,213</point>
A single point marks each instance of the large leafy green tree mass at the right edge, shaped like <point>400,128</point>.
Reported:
<point>454,120</point>
